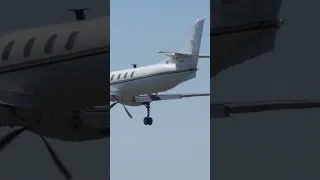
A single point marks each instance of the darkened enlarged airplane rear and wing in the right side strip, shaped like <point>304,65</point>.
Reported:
<point>248,30</point>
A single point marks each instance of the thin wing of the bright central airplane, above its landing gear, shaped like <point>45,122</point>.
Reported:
<point>150,98</point>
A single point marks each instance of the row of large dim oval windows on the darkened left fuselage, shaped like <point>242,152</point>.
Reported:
<point>48,48</point>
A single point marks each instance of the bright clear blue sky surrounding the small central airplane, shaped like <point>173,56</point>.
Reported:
<point>177,145</point>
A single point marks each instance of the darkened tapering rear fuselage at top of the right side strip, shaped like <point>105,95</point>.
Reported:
<point>242,30</point>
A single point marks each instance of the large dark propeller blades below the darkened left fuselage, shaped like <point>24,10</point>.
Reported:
<point>9,137</point>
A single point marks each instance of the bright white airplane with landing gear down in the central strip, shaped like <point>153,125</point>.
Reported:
<point>139,86</point>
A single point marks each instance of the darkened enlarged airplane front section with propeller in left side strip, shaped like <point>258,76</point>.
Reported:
<point>52,82</point>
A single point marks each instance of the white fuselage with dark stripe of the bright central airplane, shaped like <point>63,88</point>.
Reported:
<point>148,80</point>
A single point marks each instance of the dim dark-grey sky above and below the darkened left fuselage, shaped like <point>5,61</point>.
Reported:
<point>27,157</point>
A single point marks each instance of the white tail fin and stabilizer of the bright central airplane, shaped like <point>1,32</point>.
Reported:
<point>188,56</point>
